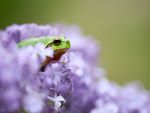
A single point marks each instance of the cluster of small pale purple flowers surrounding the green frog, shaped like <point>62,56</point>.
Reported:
<point>75,84</point>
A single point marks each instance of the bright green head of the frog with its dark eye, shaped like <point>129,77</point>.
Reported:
<point>59,43</point>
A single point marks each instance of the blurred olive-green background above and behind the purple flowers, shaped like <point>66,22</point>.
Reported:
<point>122,27</point>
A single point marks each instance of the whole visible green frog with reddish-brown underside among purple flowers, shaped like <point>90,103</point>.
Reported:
<point>59,44</point>
